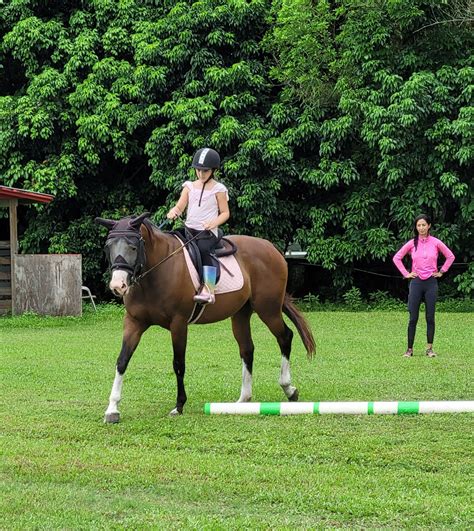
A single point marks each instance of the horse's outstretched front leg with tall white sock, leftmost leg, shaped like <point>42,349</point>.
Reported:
<point>131,337</point>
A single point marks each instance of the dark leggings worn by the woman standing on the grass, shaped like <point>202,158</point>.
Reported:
<point>419,289</point>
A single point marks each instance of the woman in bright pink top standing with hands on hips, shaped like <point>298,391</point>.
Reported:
<point>424,250</point>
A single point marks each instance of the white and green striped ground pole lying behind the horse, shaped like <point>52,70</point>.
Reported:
<point>345,408</point>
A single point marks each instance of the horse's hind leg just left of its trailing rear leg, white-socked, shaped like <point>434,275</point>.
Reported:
<point>243,336</point>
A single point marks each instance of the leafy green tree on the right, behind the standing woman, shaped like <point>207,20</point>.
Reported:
<point>393,93</point>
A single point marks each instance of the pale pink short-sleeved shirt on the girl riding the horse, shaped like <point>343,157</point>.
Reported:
<point>196,215</point>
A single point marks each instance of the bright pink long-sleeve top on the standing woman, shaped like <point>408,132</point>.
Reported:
<point>425,258</point>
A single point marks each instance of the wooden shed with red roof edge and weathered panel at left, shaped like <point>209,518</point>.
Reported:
<point>46,284</point>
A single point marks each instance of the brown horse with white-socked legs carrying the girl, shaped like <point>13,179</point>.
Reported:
<point>149,271</point>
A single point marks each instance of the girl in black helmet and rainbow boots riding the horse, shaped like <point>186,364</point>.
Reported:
<point>207,206</point>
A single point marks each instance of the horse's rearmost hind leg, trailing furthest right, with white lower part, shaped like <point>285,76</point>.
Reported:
<point>284,336</point>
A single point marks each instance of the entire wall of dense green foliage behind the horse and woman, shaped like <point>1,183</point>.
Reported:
<point>339,121</point>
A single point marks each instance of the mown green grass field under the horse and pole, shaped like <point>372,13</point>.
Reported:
<point>61,467</point>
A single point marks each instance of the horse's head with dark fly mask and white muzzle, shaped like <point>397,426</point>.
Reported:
<point>125,251</point>
